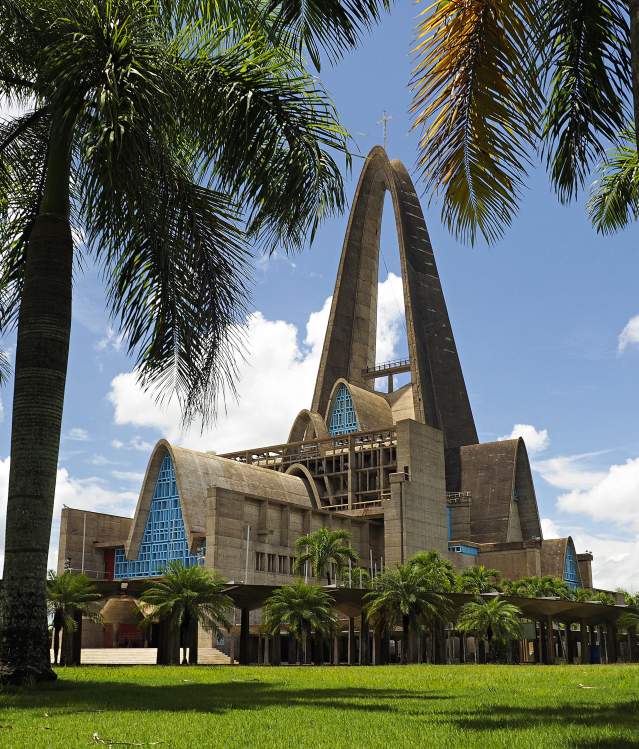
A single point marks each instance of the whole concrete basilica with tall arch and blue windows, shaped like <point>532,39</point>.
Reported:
<point>401,468</point>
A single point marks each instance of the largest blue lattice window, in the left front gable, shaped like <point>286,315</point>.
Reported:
<point>164,538</point>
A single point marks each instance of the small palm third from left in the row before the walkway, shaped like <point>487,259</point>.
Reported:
<point>302,610</point>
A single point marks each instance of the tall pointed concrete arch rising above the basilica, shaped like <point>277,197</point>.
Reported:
<point>439,391</point>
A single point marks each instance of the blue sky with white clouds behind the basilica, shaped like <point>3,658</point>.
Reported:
<point>538,320</point>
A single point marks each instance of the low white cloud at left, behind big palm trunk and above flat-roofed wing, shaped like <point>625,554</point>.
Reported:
<point>88,494</point>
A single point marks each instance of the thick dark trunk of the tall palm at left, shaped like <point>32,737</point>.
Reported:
<point>44,327</point>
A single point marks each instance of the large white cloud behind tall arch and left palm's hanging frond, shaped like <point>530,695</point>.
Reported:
<point>274,383</point>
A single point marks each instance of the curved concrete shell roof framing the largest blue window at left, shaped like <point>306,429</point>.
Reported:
<point>195,474</point>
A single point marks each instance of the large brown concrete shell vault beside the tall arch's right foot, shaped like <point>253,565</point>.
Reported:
<point>503,501</point>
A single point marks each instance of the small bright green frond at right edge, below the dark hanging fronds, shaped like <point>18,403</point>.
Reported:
<point>614,198</point>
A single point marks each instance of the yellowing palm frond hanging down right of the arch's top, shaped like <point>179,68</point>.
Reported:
<point>476,104</point>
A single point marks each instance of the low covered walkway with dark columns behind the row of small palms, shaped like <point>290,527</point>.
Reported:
<point>557,630</point>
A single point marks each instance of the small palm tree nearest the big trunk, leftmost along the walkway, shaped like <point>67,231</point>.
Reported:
<point>68,595</point>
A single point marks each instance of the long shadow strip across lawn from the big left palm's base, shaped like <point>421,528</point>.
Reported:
<point>70,697</point>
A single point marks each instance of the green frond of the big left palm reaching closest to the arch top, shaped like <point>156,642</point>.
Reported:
<point>268,130</point>
